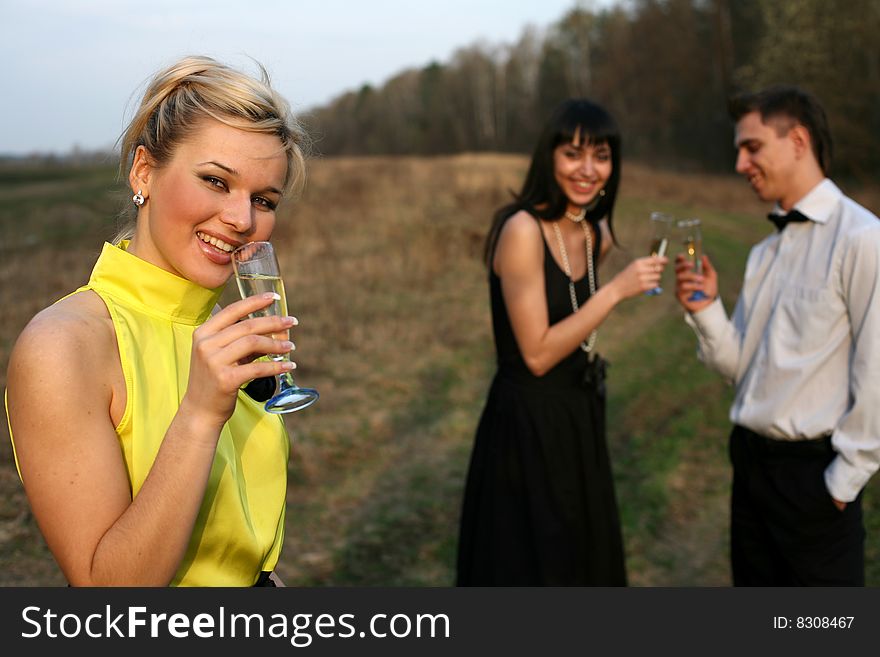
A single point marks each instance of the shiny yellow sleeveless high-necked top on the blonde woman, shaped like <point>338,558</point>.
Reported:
<point>240,527</point>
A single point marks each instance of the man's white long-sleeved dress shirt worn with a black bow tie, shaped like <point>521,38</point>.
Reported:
<point>803,345</point>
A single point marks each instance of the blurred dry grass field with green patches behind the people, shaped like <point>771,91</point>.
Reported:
<point>382,265</point>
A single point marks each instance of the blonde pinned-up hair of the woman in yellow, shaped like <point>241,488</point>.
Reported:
<point>181,96</point>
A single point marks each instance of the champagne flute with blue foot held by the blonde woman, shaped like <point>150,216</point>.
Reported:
<point>256,272</point>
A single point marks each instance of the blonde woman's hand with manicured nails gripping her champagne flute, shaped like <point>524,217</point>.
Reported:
<point>224,351</point>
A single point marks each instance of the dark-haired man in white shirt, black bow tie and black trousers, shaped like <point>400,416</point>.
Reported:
<point>803,350</point>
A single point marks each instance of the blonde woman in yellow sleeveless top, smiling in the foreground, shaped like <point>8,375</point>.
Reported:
<point>143,460</point>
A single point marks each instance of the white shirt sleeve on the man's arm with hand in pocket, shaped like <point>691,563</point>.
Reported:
<point>856,438</point>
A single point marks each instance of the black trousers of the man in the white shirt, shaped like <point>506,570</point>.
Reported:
<point>785,527</point>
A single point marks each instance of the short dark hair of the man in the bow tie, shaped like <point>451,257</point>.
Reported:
<point>786,101</point>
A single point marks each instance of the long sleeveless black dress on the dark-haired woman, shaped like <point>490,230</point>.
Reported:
<point>539,507</point>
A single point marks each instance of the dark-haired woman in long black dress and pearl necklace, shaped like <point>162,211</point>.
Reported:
<point>539,506</point>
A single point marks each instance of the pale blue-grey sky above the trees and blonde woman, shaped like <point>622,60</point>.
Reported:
<point>72,68</point>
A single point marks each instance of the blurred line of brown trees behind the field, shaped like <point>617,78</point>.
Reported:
<point>664,68</point>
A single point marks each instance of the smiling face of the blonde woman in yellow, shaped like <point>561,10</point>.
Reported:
<point>219,190</point>
